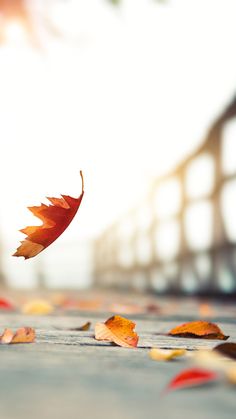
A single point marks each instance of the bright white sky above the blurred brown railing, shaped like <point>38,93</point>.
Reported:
<point>125,102</point>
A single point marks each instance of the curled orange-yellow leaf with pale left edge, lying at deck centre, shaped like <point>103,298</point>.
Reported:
<point>118,330</point>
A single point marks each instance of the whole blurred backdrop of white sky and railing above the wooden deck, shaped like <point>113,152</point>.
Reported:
<point>140,95</point>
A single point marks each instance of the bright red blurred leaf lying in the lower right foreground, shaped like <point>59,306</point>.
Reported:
<point>192,377</point>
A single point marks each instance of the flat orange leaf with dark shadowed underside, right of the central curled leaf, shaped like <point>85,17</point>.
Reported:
<point>198,329</point>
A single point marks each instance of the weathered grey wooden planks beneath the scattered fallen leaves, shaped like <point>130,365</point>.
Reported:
<point>70,375</point>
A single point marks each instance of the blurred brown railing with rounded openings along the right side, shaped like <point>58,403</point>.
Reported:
<point>182,238</point>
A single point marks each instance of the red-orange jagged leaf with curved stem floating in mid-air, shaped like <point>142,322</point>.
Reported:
<point>55,219</point>
